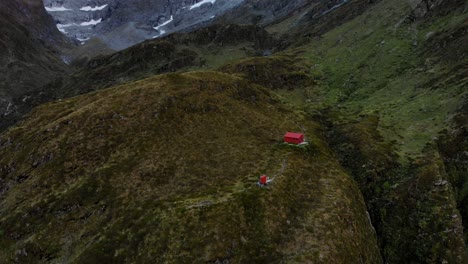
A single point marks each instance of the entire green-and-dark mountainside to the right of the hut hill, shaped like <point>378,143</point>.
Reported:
<point>389,83</point>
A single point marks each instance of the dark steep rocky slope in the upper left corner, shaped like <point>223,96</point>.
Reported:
<point>29,56</point>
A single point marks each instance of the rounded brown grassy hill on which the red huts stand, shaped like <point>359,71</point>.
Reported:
<point>165,169</point>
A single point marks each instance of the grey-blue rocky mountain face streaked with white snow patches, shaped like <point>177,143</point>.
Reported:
<point>120,23</point>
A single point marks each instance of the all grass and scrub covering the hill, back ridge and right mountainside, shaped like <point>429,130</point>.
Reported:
<point>163,169</point>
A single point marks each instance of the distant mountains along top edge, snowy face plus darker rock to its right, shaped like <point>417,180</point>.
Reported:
<point>120,24</point>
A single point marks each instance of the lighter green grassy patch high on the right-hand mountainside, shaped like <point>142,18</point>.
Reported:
<point>381,62</point>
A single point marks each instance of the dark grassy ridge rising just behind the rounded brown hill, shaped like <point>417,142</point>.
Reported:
<point>205,48</point>
